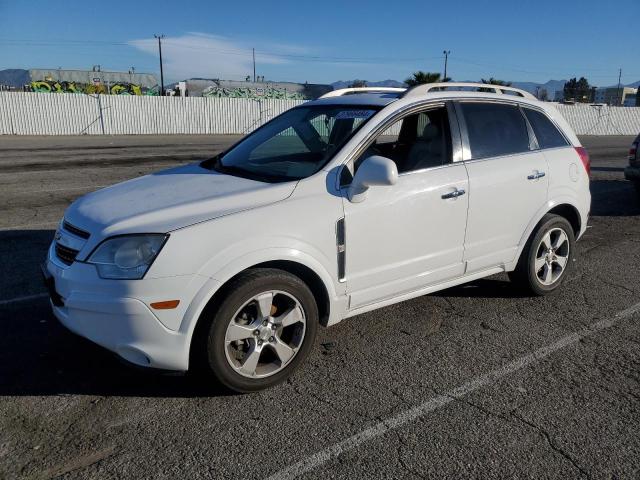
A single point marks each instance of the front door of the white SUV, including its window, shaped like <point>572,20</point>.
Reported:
<point>410,235</point>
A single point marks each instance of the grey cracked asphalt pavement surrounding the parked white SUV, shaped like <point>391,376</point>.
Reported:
<point>475,381</point>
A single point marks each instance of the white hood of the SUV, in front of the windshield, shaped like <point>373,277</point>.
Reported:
<point>171,199</point>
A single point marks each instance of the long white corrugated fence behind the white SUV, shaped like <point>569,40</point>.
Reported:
<point>74,114</point>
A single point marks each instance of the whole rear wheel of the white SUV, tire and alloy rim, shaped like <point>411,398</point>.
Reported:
<point>547,256</point>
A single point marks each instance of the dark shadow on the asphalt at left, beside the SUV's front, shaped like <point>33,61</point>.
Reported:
<point>38,356</point>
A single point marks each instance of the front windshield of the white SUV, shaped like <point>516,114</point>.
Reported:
<point>295,144</point>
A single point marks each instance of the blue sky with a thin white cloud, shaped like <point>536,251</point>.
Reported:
<point>322,42</point>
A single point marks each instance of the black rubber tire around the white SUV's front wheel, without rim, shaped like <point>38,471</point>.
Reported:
<point>239,291</point>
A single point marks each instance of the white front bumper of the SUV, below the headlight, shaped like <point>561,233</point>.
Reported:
<point>116,314</point>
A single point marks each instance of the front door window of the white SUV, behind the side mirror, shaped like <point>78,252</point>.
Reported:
<point>415,142</point>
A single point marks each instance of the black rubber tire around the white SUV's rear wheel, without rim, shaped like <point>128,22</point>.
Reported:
<point>525,275</point>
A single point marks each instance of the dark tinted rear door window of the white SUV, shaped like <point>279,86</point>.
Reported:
<point>495,129</point>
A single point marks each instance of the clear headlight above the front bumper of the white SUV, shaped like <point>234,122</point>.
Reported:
<point>126,257</point>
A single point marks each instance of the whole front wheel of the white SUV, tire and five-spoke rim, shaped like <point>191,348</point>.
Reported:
<point>262,331</point>
